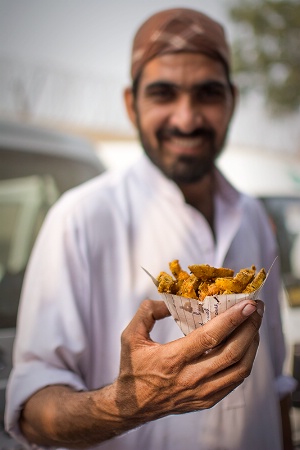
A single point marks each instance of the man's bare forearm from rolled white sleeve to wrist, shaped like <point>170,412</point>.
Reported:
<point>57,411</point>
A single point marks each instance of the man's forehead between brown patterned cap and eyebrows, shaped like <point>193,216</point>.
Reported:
<point>184,69</point>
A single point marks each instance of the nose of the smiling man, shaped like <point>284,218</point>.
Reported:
<point>186,115</point>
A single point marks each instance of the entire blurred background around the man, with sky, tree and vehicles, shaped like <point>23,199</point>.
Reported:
<point>63,67</point>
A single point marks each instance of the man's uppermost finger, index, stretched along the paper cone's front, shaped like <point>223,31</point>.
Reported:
<point>216,330</point>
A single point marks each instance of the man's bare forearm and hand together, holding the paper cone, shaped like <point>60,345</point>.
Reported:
<point>155,380</point>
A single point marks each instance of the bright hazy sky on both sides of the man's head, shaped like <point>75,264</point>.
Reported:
<point>93,37</point>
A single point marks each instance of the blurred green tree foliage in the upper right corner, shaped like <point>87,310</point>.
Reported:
<point>266,54</point>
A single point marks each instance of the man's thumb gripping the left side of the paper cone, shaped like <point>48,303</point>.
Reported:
<point>145,317</point>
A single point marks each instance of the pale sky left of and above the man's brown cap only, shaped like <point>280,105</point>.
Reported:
<point>84,35</point>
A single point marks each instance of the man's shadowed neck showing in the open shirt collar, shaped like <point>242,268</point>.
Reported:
<point>200,196</point>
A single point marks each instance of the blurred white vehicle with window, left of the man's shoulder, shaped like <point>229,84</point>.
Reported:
<point>36,167</point>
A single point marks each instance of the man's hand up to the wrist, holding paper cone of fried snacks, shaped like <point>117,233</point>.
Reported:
<point>156,380</point>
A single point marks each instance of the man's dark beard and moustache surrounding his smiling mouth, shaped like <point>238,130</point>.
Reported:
<point>183,169</point>
